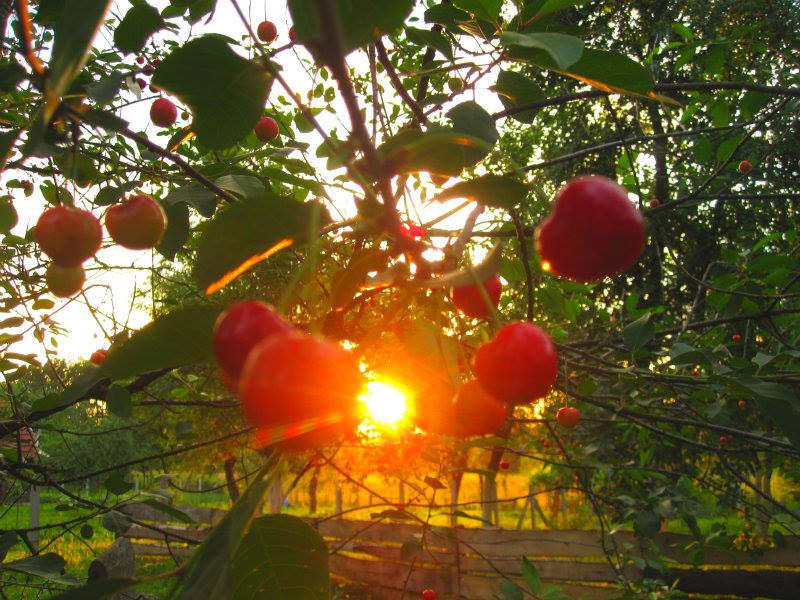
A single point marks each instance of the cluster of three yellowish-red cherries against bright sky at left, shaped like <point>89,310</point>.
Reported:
<point>70,236</point>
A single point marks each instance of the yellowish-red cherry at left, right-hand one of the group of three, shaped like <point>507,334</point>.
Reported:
<point>137,223</point>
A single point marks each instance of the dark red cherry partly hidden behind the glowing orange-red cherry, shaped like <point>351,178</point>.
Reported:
<point>240,329</point>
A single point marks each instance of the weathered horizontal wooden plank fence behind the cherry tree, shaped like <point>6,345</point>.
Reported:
<point>465,563</point>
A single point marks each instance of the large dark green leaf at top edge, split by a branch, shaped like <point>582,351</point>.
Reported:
<point>361,21</point>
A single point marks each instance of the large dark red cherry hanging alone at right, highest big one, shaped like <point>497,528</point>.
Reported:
<point>593,232</point>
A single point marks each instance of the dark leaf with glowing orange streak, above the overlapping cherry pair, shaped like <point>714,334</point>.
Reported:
<point>231,244</point>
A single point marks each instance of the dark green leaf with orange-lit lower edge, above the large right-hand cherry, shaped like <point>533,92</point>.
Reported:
<point>608,71</point>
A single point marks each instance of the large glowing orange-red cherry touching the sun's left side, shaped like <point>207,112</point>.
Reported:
<point>300,392</point>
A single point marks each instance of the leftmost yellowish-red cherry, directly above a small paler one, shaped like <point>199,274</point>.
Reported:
<point>68,235</point>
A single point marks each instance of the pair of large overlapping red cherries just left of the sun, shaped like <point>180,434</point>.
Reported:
<point>298,391</point>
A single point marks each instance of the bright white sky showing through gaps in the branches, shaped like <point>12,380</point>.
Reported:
<point>118,275</point>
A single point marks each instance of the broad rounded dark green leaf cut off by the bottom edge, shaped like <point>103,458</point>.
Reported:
<point>280,557</point>
